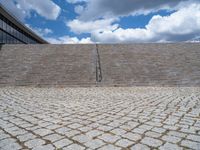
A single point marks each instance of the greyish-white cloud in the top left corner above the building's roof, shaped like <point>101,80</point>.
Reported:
<point>22,8</point>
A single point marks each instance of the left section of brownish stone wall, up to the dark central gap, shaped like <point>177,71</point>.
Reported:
<point>47,65</point>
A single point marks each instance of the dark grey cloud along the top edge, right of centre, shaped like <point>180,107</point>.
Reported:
<point>105,8</point>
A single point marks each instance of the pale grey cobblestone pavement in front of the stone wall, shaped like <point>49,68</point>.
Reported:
<point>99,118</point>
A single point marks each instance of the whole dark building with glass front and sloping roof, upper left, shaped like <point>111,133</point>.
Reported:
<point>12,31</point>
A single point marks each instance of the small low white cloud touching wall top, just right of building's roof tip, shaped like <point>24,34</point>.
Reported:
<point>69,40</point>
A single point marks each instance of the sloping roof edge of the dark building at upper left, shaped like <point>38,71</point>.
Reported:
<point>20,25</point>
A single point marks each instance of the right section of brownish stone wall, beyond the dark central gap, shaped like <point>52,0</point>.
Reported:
<point>151,64</point>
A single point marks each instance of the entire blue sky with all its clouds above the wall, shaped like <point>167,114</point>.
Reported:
<point>110,21</point>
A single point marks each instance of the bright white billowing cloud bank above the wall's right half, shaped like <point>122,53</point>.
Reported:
<point>182,25</point>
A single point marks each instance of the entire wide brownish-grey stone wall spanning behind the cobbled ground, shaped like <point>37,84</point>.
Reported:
<point>100,65</point>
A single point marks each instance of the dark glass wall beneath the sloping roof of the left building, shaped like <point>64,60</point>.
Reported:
<point>11,34</point>
